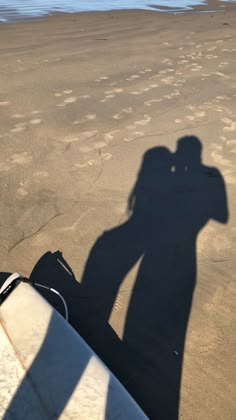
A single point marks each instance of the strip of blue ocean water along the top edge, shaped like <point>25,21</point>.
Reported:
<point>13,10</point>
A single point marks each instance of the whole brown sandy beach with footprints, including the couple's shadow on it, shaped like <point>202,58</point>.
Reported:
<point>89,103</point>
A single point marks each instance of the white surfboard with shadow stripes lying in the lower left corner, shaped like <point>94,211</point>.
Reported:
<point>47,371</point>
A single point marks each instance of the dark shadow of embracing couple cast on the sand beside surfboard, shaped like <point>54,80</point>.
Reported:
<point>174,197</point>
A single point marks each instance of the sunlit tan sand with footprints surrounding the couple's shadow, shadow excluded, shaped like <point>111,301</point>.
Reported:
<point>82,98</point>
